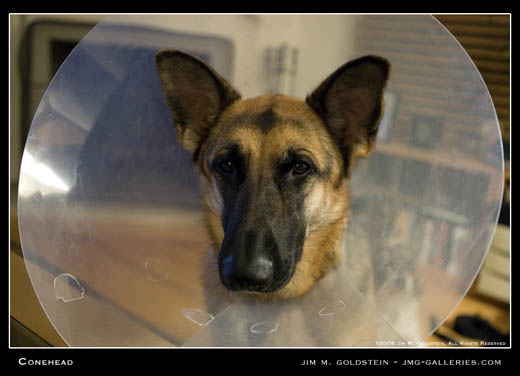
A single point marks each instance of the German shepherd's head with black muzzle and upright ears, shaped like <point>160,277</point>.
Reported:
<point>275,168</point>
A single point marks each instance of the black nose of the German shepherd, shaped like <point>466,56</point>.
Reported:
<point>253,275</point>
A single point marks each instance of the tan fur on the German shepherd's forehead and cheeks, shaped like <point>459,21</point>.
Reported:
<point>326,205</point>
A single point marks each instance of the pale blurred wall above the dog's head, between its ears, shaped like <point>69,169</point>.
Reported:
<point>324,42</point>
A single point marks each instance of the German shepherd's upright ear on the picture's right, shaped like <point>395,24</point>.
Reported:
<point>350,101</point>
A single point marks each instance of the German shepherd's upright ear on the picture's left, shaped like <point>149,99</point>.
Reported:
<point>195,95</point>
